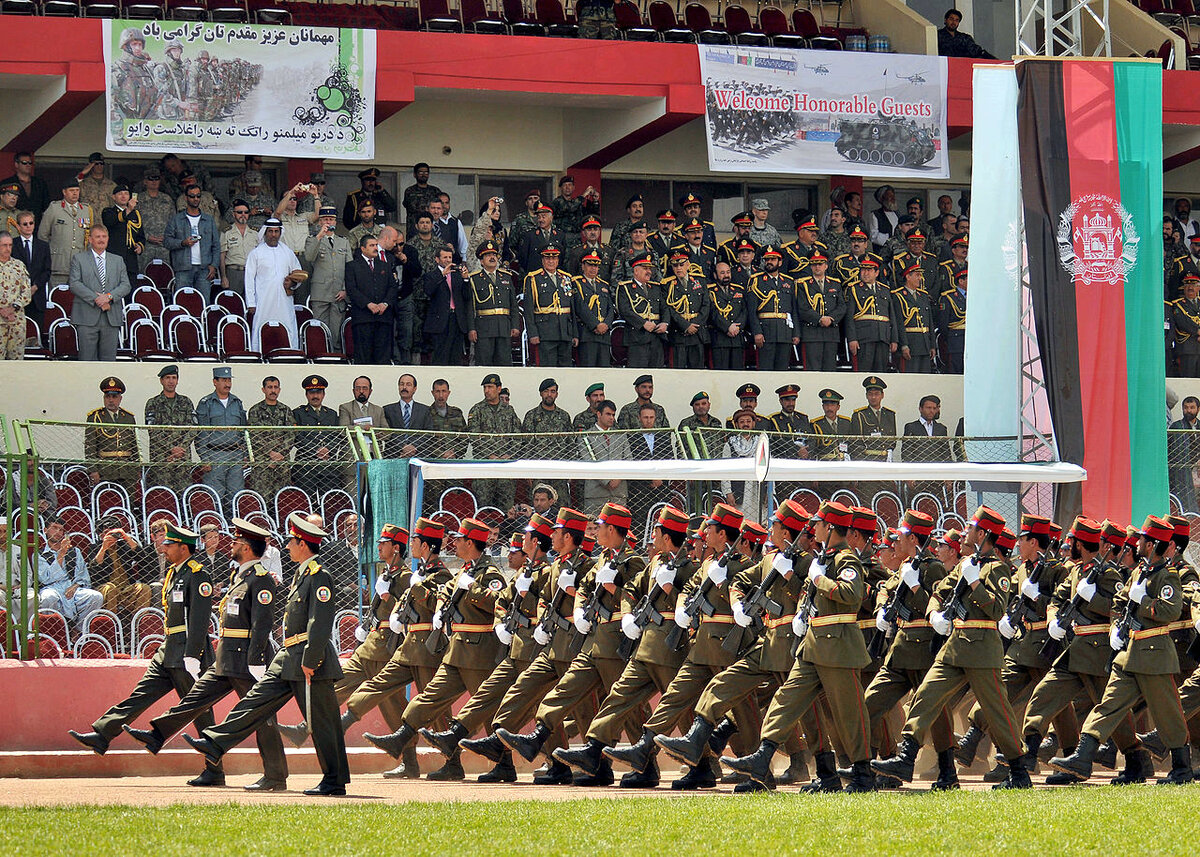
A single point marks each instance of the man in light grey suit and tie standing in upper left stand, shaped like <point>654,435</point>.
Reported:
<point>99,283</point>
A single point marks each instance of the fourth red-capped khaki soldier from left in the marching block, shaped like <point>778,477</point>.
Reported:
<point>517,613</point>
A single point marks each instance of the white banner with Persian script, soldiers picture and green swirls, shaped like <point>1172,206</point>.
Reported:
<point>245,89</point>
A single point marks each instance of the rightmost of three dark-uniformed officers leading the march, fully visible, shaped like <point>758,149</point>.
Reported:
<point>305,668</point>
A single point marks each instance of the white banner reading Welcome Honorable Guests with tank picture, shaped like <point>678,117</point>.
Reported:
<point>782,111</point>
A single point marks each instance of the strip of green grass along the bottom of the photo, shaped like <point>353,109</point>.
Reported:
<point>1135,820</point>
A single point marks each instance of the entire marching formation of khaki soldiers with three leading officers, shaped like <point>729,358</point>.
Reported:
<point>800,638</point>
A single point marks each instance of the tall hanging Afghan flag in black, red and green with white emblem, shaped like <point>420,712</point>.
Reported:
<point>1091,145</point>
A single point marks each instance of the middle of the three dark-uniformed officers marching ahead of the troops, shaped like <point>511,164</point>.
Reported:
<point>247,616</point>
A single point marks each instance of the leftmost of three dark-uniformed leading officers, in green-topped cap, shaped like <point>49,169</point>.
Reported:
<point>184,655</point>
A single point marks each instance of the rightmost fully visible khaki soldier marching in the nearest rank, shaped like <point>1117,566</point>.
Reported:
<point>1147,661</point>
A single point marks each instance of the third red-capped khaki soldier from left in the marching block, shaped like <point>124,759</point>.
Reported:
<point>467,613</point>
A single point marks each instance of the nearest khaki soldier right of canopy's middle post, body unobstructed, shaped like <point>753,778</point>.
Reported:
<point>831,656</point>
